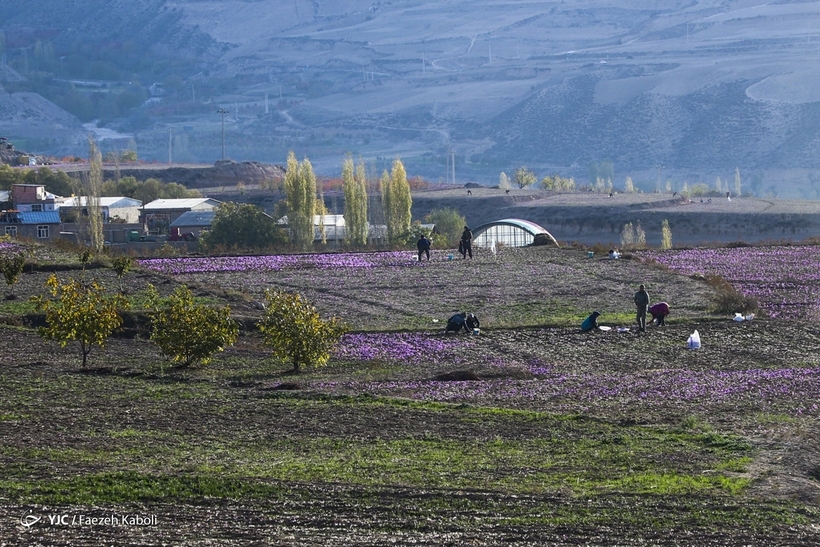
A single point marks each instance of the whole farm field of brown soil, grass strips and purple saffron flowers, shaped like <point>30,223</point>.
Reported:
<point>531,433</point>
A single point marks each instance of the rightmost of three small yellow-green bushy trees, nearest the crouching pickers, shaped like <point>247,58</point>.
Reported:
<point>295,331</point>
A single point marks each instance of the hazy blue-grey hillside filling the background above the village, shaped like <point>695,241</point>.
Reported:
<point>677,91</point>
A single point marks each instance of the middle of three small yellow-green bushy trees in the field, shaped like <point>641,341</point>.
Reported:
<point>186,332</point>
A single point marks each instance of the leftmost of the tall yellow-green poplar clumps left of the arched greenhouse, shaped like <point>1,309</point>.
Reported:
<point>300,192</point>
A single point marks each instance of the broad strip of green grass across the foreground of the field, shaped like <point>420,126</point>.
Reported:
<point>569,454</point>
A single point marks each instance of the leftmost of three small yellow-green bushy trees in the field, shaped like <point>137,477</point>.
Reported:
<point>79,312</point>
